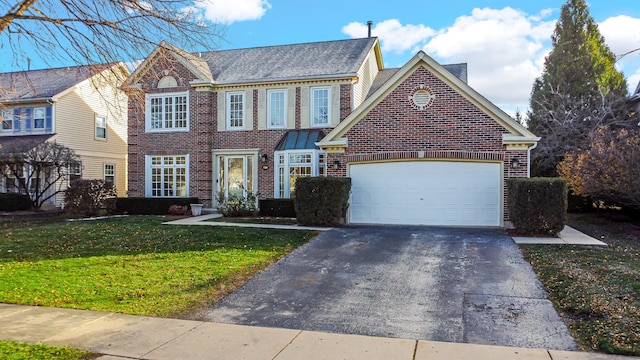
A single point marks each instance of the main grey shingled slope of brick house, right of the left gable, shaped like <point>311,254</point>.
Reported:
<point>338,58</point>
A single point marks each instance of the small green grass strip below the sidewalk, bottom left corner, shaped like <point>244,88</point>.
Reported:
<point>23,351</point>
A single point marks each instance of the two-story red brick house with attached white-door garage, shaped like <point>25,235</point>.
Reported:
<point>256,119</point>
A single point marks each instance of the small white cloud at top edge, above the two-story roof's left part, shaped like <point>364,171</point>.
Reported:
<point>230,11</point>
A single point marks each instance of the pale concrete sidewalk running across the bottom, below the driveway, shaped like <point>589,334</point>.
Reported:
<point>120,336</point>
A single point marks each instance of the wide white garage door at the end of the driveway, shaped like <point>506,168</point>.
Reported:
<point>426,193</point>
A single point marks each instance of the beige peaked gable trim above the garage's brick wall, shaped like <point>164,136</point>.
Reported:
<point>518,133</point>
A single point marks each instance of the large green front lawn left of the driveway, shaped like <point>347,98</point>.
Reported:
<point>133,265</point>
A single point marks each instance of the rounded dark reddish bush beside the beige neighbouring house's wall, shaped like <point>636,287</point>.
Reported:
<point>88,197</point>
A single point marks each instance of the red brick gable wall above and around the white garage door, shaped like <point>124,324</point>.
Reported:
<point>450,127</point>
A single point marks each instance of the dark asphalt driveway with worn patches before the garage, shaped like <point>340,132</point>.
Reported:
<point>440,284</point>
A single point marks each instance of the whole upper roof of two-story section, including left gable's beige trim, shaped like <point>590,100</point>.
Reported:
<point>319,60</point>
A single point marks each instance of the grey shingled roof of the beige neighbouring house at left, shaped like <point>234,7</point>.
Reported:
<point>42,84</point>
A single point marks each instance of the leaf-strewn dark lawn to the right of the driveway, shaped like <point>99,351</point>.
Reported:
<point>595,290</point>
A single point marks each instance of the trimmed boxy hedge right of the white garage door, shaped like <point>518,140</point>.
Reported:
<point>538,206</point>
